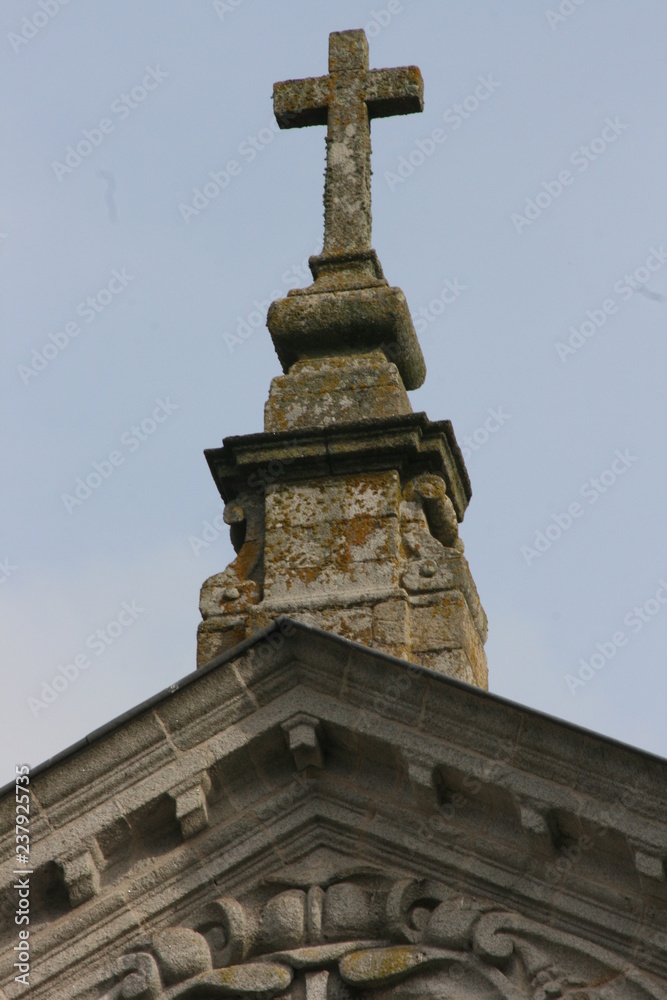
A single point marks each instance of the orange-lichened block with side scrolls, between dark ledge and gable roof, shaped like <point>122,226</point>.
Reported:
<point>357,555</point>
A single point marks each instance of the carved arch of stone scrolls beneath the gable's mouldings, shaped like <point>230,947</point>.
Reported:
<point>395,941</point>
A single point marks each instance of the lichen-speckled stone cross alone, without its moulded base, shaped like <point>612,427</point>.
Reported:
<point>345,101</point>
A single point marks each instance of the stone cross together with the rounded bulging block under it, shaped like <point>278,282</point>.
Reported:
<point>349,309</point>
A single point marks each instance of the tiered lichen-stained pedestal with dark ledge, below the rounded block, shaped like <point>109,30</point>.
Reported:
<point>345,515</point>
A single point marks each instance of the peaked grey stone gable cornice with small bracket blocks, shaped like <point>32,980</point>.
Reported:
<point>279,748</point>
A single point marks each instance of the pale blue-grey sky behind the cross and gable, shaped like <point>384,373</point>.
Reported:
<point>553,83</point>
